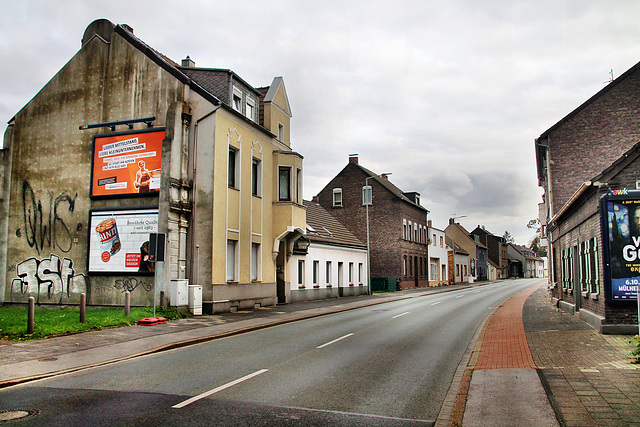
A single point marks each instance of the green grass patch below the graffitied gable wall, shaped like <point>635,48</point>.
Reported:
<point>58,321</point>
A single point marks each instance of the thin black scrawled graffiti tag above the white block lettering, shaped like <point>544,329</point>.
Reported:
<point>44,224</point>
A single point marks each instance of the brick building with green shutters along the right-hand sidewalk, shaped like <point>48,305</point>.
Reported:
<point>590,154</point>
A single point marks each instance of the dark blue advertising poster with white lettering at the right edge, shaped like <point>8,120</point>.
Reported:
<point>622,213</point>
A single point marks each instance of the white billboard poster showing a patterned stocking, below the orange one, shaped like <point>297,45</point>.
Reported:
<point>119,240</point>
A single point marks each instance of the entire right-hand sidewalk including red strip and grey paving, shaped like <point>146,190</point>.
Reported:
<point>536,365</point>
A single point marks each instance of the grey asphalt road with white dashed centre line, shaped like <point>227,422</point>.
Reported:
<point>389,364</point>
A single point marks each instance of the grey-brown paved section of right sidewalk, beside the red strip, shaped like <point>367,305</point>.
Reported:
<point>589,378</point>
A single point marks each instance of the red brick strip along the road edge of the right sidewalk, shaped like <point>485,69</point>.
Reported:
<point>504,345</point>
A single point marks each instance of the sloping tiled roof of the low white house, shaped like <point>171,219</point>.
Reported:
<point>323,227</point>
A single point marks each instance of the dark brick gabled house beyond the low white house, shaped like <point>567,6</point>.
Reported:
<point>398,232</point>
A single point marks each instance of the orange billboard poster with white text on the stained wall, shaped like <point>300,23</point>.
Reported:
<point>127,164</point>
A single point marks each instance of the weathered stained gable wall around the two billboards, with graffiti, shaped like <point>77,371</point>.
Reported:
<point>48,227</point>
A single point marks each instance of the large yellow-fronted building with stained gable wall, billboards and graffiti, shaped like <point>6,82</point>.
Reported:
<point>123,142</point>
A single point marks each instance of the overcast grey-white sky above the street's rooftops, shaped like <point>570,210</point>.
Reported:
<point>447,96</point>
